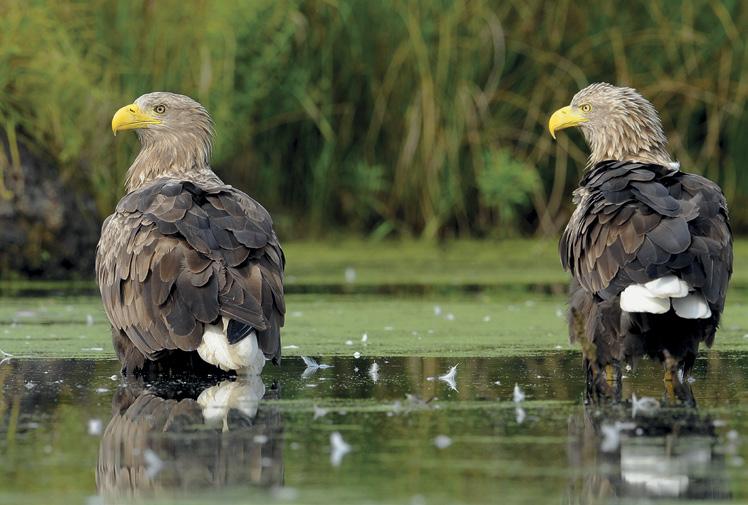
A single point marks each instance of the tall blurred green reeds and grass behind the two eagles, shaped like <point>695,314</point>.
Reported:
<point>379,120</point>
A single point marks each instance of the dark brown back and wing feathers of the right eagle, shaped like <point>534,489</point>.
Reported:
<point>636,222</point>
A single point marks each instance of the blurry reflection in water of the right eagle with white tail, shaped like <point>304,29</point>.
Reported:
<point>670,454</point>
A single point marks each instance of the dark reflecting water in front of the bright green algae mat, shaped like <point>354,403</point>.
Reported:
<point>75,431</point>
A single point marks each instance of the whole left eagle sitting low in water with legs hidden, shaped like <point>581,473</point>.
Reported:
<point>189,268</point>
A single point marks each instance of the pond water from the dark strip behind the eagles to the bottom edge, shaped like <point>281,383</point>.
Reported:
<point>74,431</point>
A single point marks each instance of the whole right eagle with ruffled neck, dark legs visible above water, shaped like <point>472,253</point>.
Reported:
<point>649,246</point>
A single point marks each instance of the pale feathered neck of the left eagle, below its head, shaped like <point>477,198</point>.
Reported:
<point>183,155</point>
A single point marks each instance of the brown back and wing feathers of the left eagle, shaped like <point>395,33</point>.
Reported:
<point>175,257</point>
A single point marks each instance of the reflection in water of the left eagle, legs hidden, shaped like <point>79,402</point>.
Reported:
<point>178,436</point>
